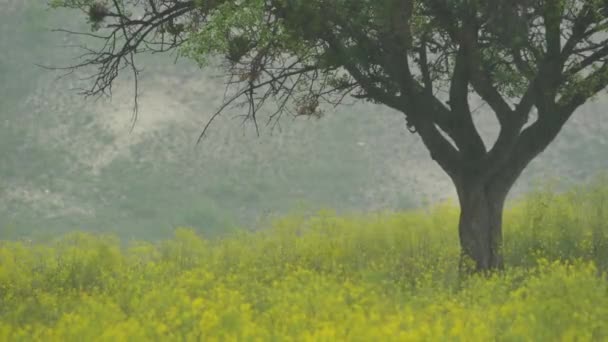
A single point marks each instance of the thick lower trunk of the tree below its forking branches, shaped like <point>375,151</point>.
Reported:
<point>480,226</point>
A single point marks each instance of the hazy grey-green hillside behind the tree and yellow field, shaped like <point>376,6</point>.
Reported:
<point>68,163</point>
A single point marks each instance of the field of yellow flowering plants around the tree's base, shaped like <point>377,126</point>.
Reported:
<point>380,277</point>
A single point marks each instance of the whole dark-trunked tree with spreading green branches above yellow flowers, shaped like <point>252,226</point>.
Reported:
<point>533,62</point>
